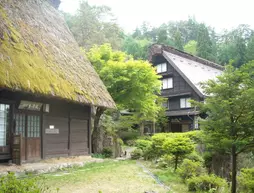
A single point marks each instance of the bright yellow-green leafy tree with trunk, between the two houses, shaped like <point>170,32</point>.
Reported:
<point>133,84</point>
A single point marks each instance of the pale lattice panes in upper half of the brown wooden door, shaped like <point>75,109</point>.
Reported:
<point>33,126</point>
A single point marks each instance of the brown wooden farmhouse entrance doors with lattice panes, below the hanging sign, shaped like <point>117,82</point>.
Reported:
<point>29,125</point>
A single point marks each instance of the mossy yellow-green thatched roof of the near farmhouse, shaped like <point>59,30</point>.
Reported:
<point>39,55</point>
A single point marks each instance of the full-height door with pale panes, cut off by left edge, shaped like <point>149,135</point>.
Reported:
<point>5,133</point>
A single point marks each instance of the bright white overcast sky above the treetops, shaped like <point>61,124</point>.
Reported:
<point>221,14</point>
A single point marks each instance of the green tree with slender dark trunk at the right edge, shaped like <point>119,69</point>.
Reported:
<point>230,109</point>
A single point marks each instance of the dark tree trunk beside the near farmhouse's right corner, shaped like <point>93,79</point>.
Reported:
<point>97,136</point>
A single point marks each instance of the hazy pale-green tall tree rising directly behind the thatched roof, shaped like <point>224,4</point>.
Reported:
<point>94,25</point>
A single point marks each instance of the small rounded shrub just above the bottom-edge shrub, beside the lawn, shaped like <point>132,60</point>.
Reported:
<point>190,169</point>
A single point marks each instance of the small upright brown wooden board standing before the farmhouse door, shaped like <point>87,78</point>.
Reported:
<point>16,149</point>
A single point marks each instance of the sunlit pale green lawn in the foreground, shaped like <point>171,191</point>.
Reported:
<point>106,177</point>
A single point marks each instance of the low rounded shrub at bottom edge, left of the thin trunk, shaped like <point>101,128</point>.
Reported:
<point>209,183</point>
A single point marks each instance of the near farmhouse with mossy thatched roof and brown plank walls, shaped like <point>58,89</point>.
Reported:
<point>47,87</point>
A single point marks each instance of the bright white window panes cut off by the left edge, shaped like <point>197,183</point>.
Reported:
<point>4,120</point>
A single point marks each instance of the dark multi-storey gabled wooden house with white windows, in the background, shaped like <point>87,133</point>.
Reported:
<point>181,75</point>
